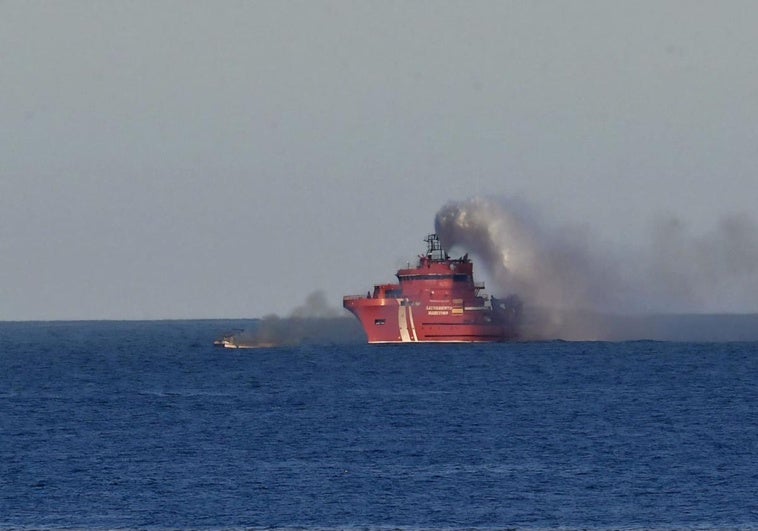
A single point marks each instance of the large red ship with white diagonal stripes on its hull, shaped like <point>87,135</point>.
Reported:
<point>436,301</point>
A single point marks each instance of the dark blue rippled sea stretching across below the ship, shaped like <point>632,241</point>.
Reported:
<point>107,425</point>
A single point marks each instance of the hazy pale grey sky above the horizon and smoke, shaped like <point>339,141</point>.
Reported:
<point>224,159</point>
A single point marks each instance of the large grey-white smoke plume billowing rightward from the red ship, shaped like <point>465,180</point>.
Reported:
<point>564,272</point>
